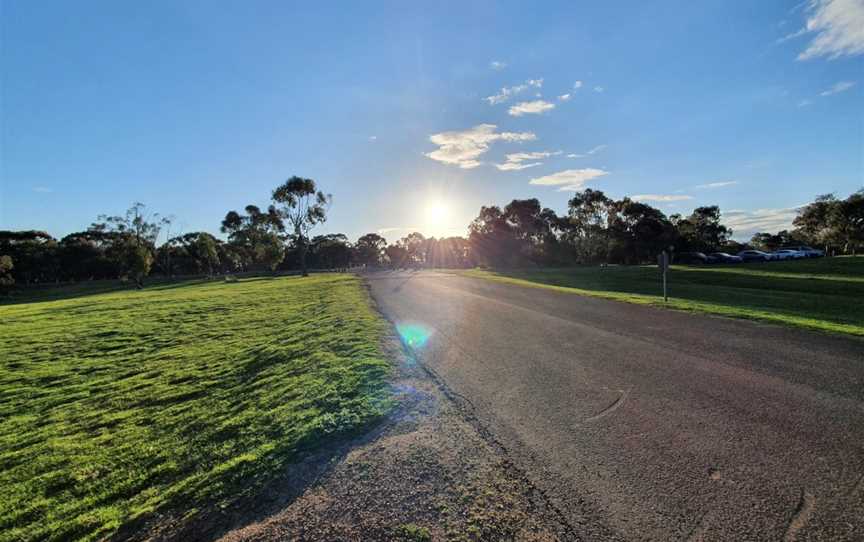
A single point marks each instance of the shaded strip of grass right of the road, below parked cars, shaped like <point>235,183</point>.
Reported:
<point>825,294</point>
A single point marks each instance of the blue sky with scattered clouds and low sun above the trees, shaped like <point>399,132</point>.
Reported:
<point>398,110</point>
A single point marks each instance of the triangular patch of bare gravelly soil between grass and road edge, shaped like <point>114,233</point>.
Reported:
<point>427,474</point>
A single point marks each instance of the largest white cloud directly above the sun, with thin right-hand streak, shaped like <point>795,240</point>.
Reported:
<point>463,148</point>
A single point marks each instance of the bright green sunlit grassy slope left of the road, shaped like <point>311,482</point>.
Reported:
<point>116,405</point>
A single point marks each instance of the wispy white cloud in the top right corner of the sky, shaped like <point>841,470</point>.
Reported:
<point>837,27</point>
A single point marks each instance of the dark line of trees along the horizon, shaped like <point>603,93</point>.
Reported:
<point>594,229</point>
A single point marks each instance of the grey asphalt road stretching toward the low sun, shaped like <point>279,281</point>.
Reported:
<point>644,424</point>
